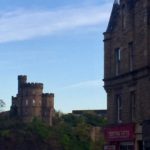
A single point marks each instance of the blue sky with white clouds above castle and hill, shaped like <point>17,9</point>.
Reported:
<point>58,43</point>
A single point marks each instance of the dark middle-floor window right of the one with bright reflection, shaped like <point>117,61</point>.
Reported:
<point>131,56</point>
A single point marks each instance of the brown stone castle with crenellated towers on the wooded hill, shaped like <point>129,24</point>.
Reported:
<point>31,102</point>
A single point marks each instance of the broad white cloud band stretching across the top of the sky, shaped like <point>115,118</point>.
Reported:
<point>25,24</point>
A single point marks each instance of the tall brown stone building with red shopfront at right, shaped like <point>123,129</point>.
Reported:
<point>127,74</point>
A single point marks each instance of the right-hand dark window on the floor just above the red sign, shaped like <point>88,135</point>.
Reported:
<point>133,105</point>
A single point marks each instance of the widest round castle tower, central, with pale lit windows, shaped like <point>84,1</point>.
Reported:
<point>31,99</point>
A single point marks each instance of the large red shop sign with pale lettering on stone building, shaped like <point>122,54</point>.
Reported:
<point>120,133</point>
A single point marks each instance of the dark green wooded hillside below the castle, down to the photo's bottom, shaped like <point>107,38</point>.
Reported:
<point>68,133</point>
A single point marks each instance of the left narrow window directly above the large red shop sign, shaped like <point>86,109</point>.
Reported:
<point>119,109</point>
